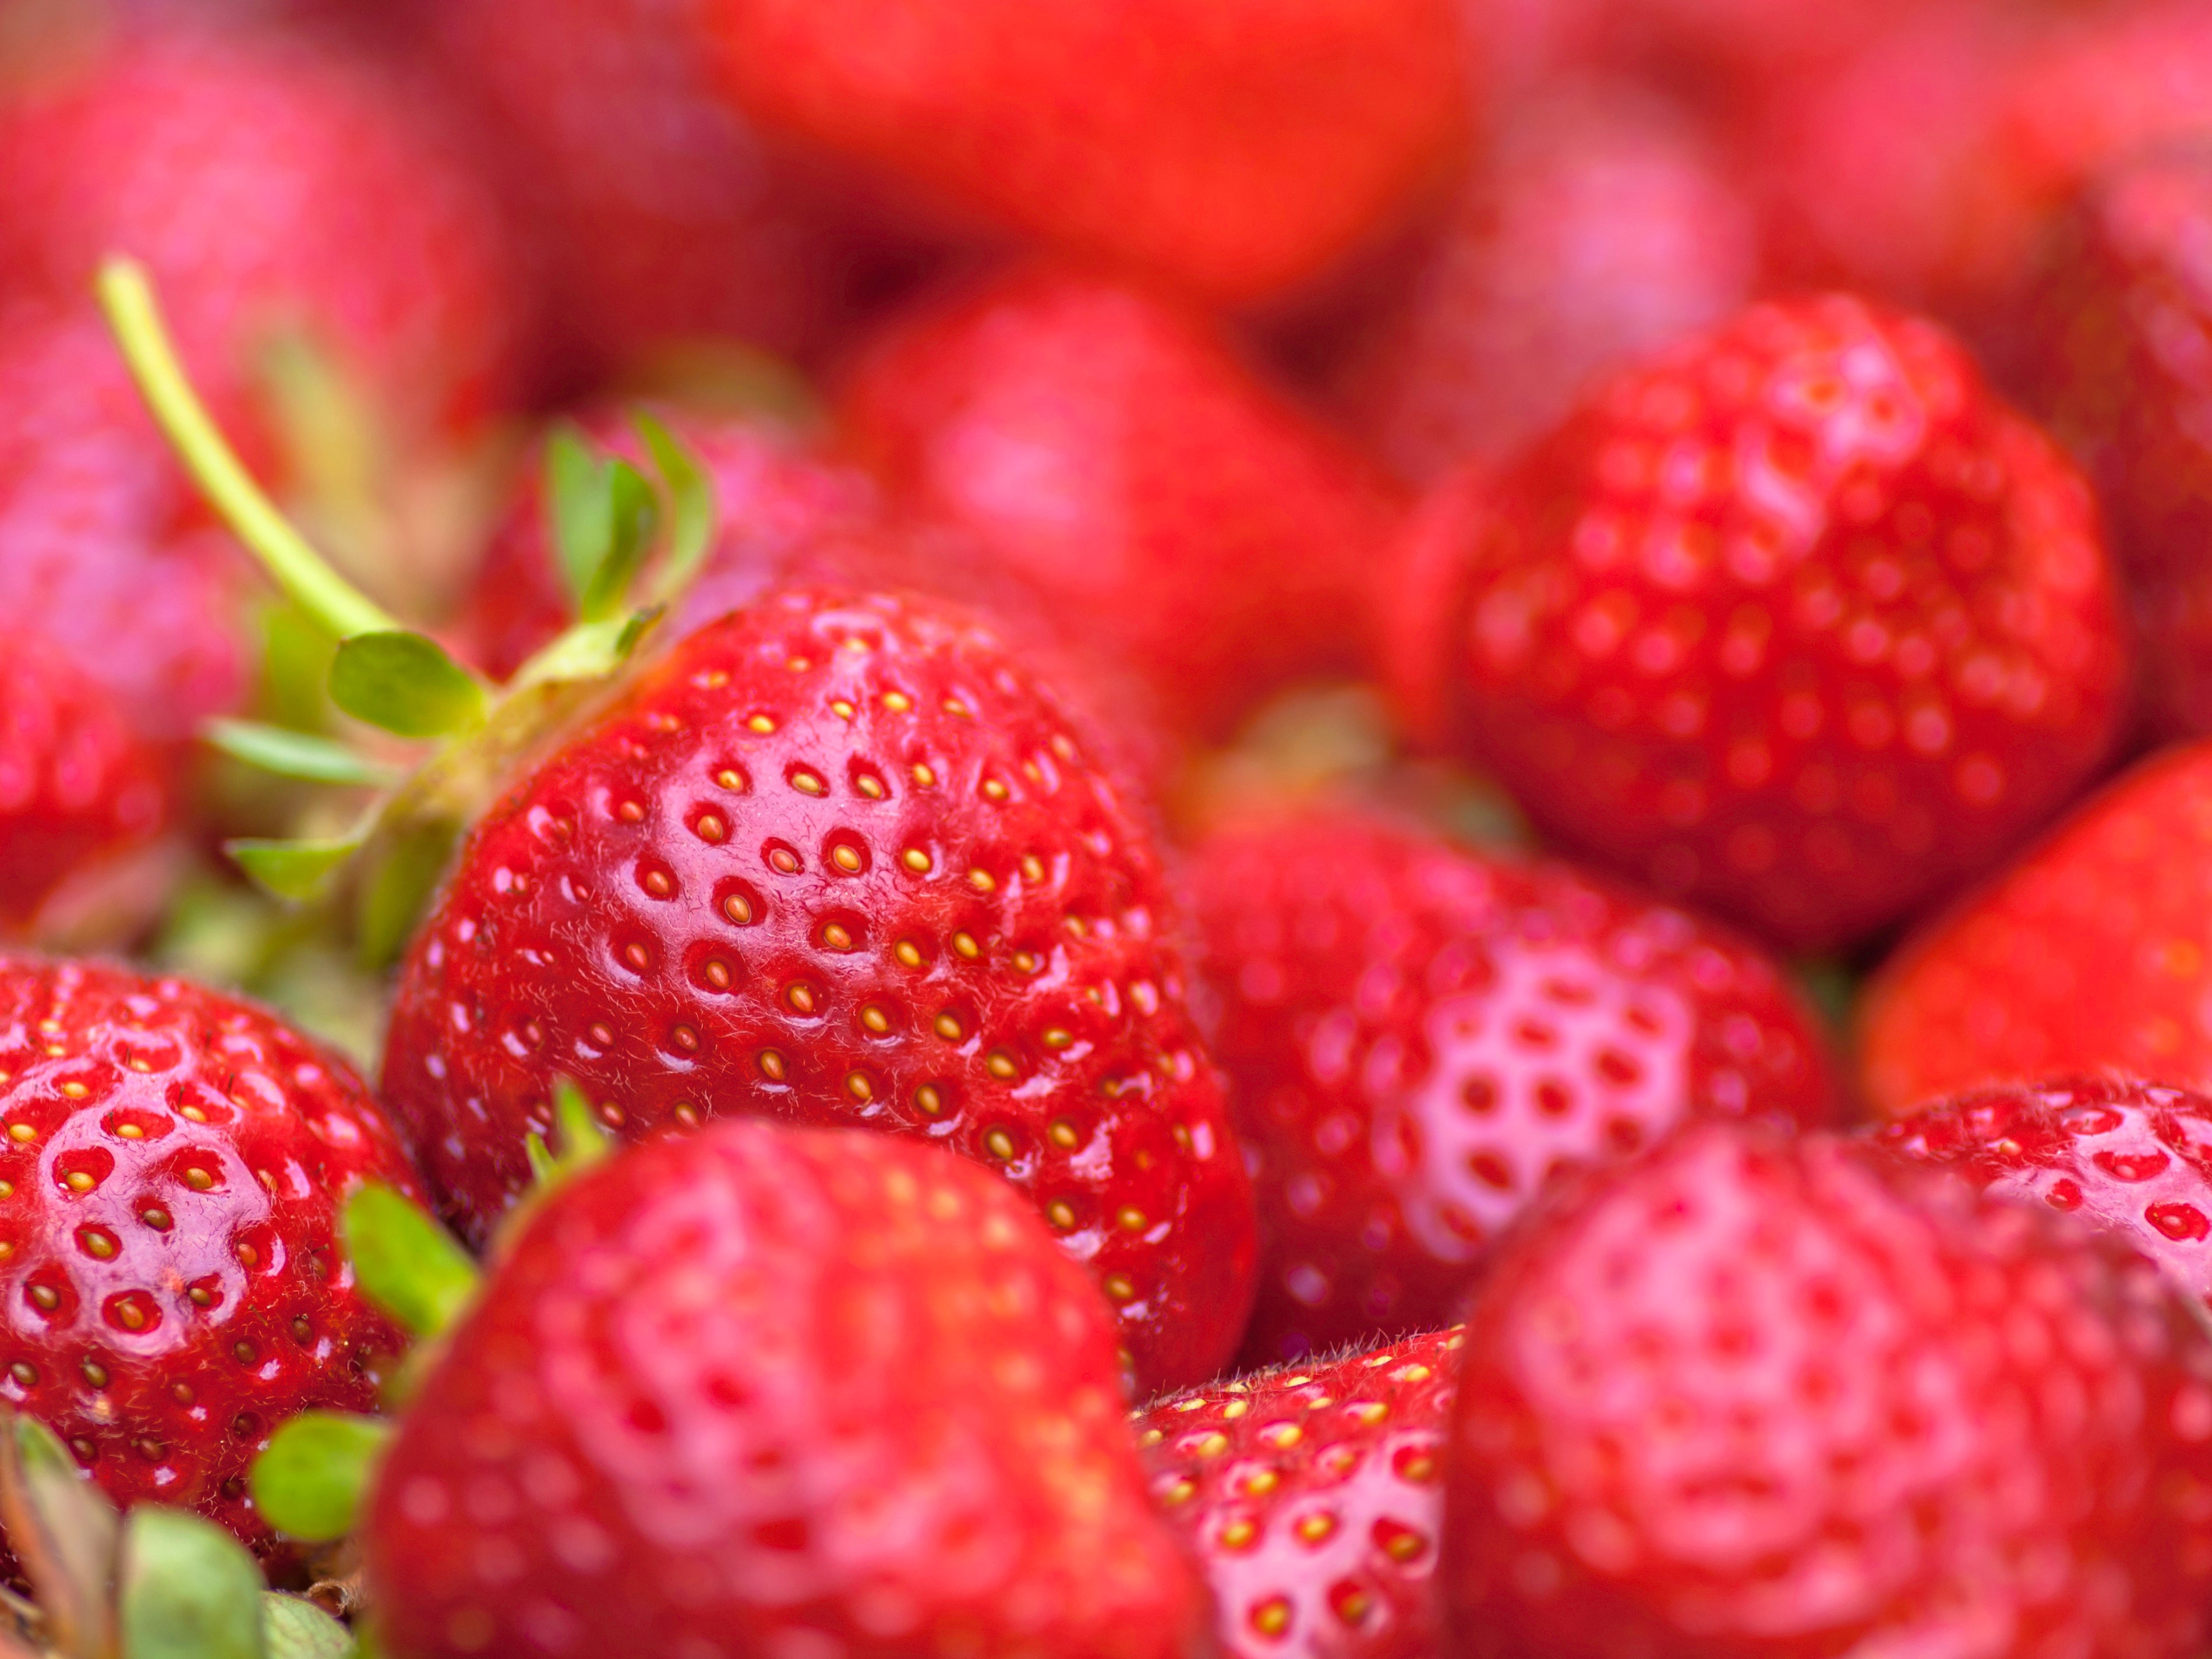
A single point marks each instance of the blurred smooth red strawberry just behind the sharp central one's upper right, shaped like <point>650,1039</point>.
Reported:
<point>1116,457</point>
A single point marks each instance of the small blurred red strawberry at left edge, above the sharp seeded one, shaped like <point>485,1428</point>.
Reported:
<point>81,793</point>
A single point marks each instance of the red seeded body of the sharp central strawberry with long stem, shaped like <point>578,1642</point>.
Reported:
<point>844,864</point>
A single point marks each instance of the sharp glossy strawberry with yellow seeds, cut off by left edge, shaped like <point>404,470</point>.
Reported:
<point>174,1284</point>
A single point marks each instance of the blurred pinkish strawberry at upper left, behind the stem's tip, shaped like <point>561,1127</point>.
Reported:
<point>273,187</point>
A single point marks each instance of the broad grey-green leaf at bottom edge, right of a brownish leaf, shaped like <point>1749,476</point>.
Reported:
<point>189,1589</point>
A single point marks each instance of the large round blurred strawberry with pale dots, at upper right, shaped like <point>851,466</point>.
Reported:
<point>1797,620</point>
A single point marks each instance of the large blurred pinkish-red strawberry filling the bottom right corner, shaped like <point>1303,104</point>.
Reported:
<point>1751,1397</point>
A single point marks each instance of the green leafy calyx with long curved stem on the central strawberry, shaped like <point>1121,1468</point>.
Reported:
<point>627,545</point>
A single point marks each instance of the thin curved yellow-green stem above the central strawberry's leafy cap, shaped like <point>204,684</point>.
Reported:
<point>304,574</point>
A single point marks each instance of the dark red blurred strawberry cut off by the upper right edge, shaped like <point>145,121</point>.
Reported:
<point>2116,340</point>
